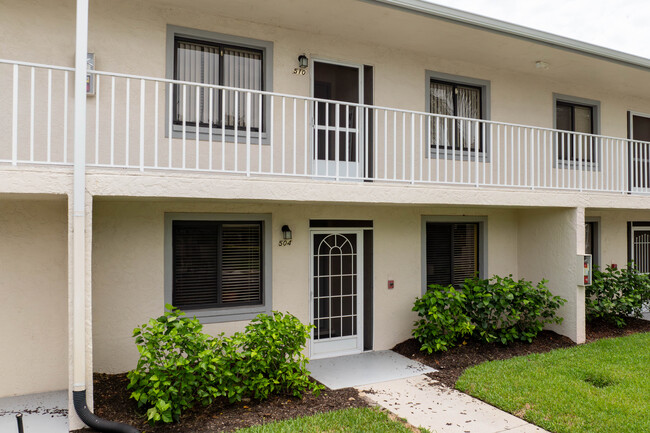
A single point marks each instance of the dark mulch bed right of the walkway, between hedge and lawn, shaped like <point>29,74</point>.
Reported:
<point>451,364</point>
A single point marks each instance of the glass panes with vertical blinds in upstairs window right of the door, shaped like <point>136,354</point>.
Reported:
<point>461,101</point>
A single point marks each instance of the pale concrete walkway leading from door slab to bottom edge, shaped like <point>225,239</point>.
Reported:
<point>425,403</point>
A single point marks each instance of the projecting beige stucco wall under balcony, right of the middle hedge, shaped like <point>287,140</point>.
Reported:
<point>549,241</point>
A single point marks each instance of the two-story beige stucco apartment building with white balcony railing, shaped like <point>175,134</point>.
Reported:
<point>326,158</point>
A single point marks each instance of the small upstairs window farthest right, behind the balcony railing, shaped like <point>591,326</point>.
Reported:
<point>579,118</point>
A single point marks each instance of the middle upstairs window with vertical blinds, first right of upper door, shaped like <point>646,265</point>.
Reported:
<point>464,99</point>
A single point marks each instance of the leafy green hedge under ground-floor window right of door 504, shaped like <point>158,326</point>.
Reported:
<point>490,310</point>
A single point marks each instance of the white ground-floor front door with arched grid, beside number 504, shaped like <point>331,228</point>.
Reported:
<point>336,291</point>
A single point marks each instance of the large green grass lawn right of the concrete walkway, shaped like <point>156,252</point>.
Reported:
<point>600,387</point>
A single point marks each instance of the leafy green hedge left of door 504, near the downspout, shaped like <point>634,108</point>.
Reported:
<point>180,366</point>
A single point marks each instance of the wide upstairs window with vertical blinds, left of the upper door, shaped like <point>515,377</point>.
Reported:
<point>217,64</point>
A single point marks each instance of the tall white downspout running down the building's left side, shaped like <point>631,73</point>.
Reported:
<point>79,201</point>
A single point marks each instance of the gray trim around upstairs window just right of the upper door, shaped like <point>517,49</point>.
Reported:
<point>484,85</point>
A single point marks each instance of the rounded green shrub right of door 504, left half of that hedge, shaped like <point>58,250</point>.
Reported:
<point>443,319</point>
